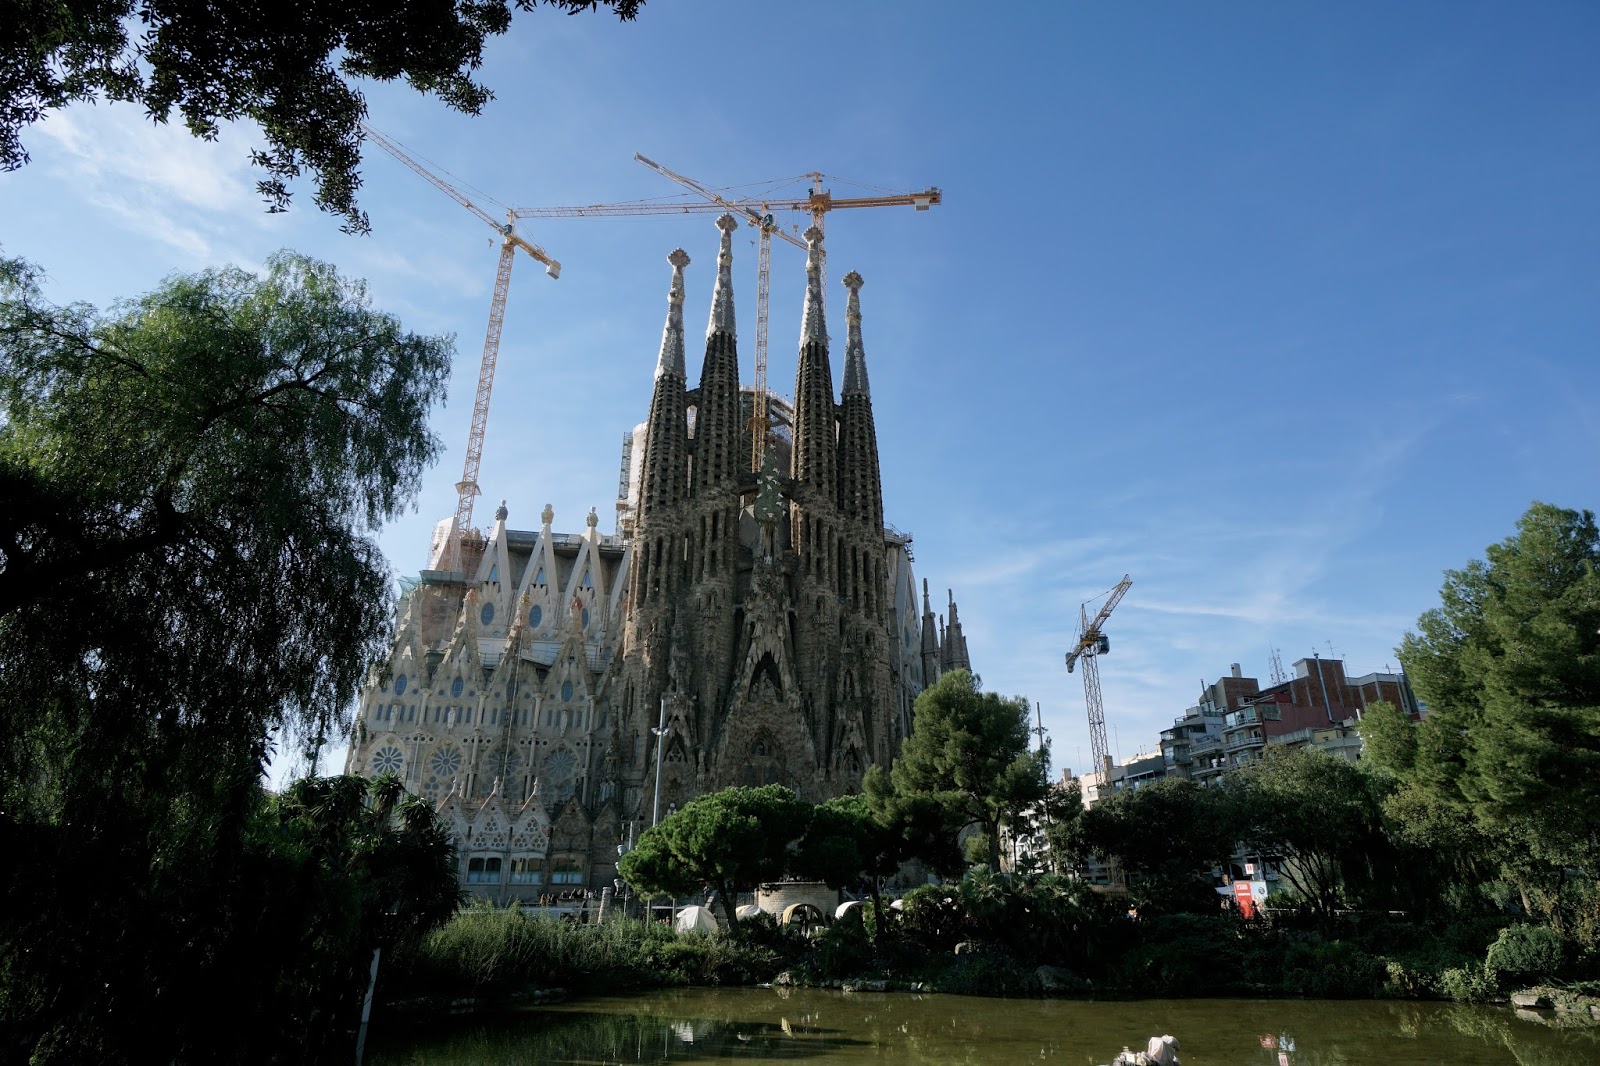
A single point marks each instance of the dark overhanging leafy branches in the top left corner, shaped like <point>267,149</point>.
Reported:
<point>290,68</point>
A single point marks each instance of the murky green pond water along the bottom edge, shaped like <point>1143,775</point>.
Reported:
<point>842,1028</point>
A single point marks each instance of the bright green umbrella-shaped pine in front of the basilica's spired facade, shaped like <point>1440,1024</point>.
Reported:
<point>730,841</point>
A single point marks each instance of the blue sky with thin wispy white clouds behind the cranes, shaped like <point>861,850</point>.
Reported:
<point>1281,310</point>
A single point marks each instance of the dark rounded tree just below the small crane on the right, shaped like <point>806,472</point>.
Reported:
<point>1167,838</point>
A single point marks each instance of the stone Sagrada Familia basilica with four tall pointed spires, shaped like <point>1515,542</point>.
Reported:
<point>759,627</point>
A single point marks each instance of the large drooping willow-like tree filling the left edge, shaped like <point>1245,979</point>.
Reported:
<point>190,487</point>
